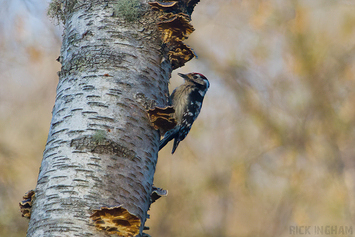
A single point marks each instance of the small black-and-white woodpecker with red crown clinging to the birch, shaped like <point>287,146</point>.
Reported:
<point>187,101</point>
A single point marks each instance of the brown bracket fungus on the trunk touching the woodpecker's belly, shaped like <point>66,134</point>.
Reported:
<point>162,119</point>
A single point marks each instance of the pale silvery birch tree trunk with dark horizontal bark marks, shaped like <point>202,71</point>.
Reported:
<point>101,149</point>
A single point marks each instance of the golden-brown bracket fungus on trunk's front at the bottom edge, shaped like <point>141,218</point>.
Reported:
<point>116,220</point>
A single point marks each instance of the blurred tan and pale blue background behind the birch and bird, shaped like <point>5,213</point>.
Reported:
<point>274,145</point>
